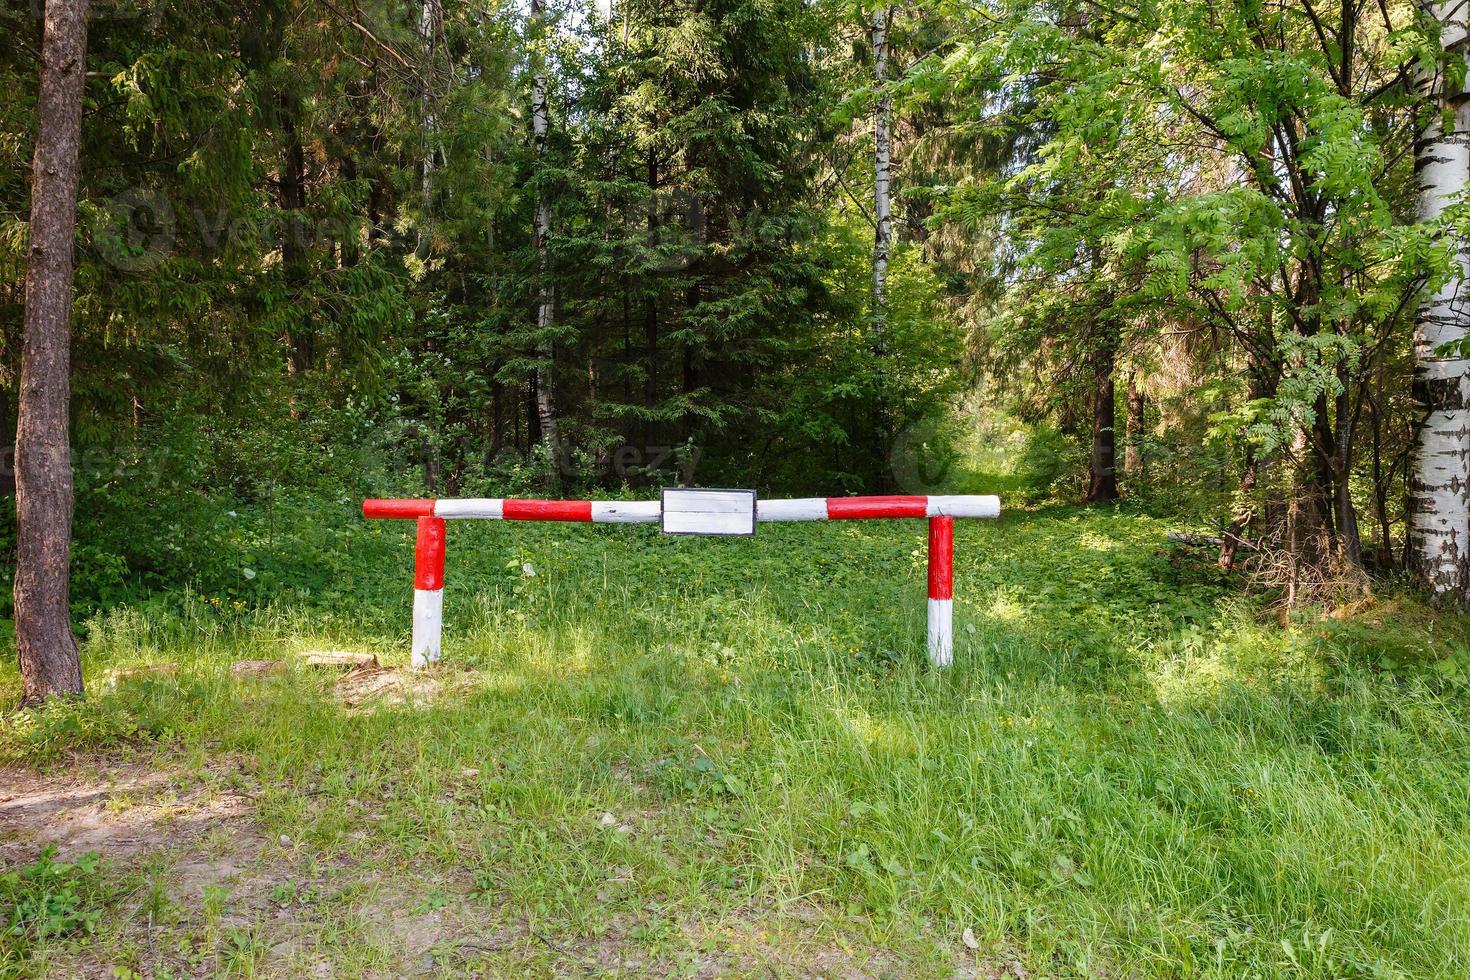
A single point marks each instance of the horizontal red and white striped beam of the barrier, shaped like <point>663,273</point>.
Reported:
<point>645,512</point>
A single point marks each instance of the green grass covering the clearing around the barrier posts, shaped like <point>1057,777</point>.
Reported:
<point>659,754</point>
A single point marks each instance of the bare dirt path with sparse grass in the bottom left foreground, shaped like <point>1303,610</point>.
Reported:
<point>202,890</point>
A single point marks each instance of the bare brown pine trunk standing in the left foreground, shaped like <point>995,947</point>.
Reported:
<point>43,628</point>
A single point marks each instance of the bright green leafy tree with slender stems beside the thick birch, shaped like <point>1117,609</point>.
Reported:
<point>1244,173</point>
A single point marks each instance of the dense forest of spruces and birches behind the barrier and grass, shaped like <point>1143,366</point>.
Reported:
<point>1206,253</point>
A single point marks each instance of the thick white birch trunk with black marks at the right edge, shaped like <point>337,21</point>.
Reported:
<point>1438,512</point>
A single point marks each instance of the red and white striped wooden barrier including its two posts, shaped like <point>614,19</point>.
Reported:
<point>429,581</point>
